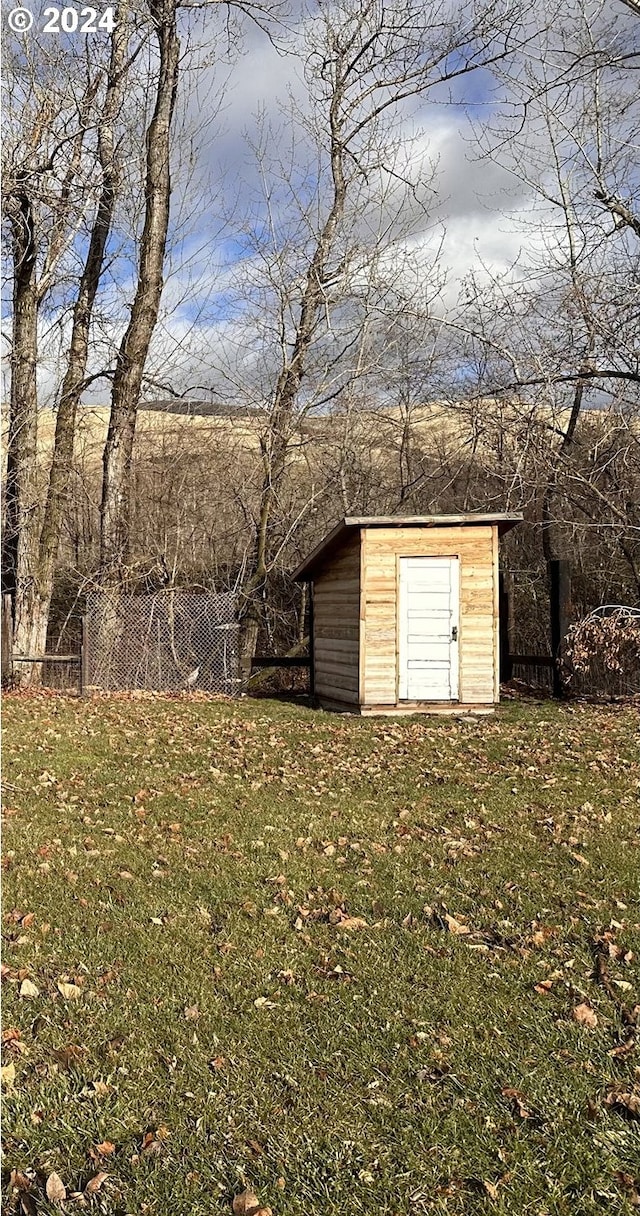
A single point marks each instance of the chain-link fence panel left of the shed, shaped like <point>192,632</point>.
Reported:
<point>166,643</point>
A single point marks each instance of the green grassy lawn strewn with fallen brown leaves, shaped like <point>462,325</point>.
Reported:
<point>360,967</point>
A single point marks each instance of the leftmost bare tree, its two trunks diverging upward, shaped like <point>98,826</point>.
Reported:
<point>57,176</point>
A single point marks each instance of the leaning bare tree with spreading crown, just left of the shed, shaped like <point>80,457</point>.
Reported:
<point>366,65</point>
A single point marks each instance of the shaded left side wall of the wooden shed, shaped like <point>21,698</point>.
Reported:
<point>336,626</point>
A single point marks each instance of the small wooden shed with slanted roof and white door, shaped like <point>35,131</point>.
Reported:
<point>406,613</point>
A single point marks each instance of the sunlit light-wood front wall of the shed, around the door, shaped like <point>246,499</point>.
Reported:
<point>476,548</point>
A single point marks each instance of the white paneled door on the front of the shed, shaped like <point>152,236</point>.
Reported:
<point>429,623</point>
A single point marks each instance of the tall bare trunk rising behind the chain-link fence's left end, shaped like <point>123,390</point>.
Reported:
<point>115,510</point>
